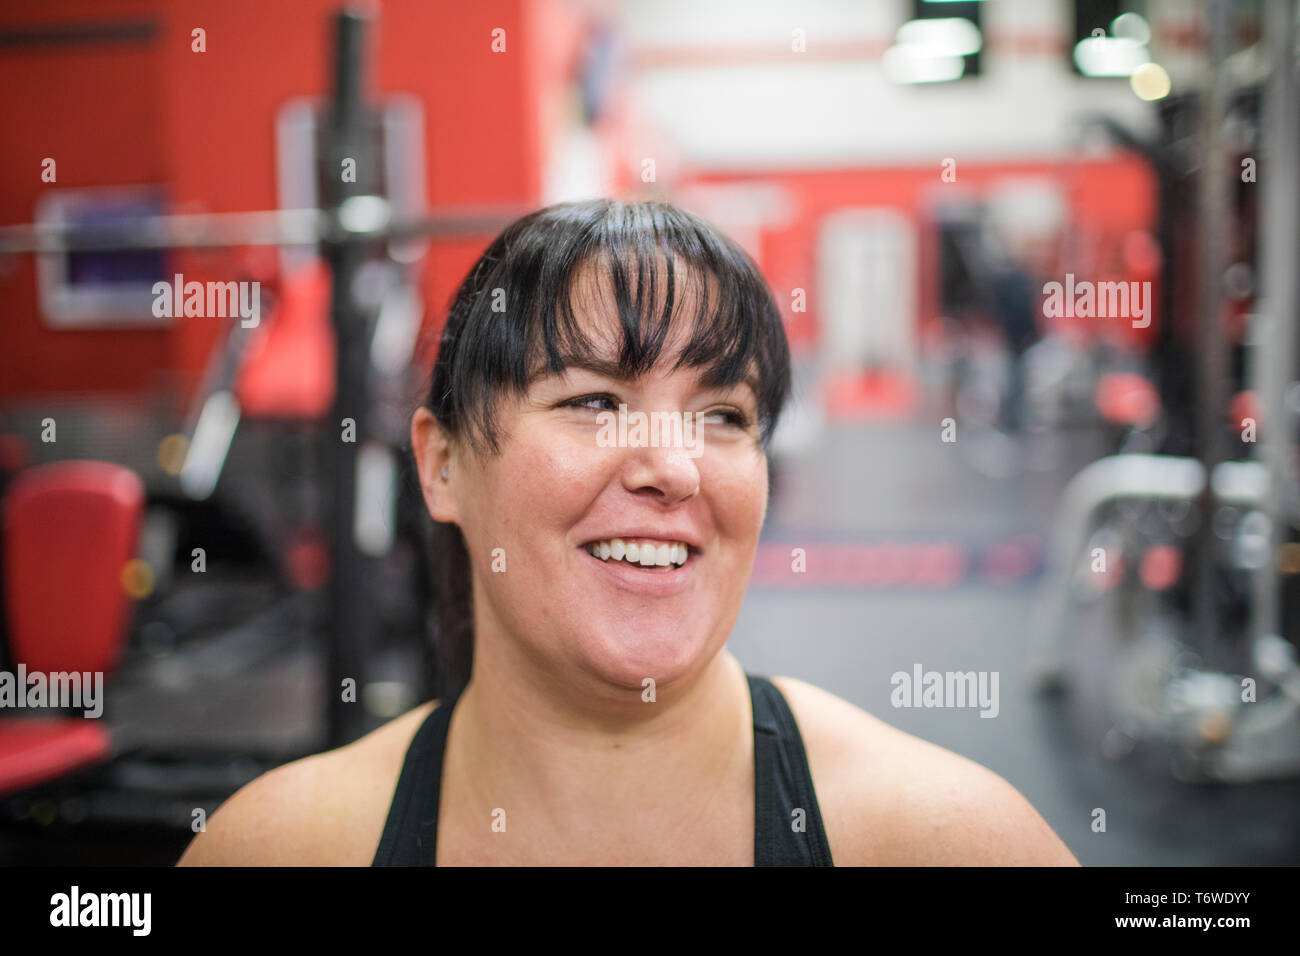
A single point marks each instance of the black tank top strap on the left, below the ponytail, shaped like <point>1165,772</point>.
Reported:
<point>411,830</point>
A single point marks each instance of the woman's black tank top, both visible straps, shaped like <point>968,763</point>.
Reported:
<point>783,786</point>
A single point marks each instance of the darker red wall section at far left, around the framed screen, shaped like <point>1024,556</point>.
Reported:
<point>97,110</point>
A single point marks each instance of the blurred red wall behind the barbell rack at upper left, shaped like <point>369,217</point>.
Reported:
<point>154,111</point>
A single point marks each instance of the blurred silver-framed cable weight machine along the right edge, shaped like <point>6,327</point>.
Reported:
<point>1186,681</point>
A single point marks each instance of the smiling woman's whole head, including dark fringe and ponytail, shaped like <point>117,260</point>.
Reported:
<point>606,305</point>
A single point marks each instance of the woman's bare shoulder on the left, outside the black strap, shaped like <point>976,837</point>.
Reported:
<point>280,819</point>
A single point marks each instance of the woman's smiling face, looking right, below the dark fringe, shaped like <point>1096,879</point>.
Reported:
<point>565,482</point>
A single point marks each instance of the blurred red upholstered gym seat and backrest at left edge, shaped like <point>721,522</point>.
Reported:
<point>70,529</point>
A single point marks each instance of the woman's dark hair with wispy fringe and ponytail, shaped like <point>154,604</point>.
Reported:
<point>513,318</point>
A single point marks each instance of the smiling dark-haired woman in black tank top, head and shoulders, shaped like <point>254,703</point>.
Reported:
<point>591,578</point>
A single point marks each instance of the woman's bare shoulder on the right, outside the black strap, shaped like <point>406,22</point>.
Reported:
<point>889,798</point>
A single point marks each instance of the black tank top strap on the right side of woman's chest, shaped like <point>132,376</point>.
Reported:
<point>787,819</point>
